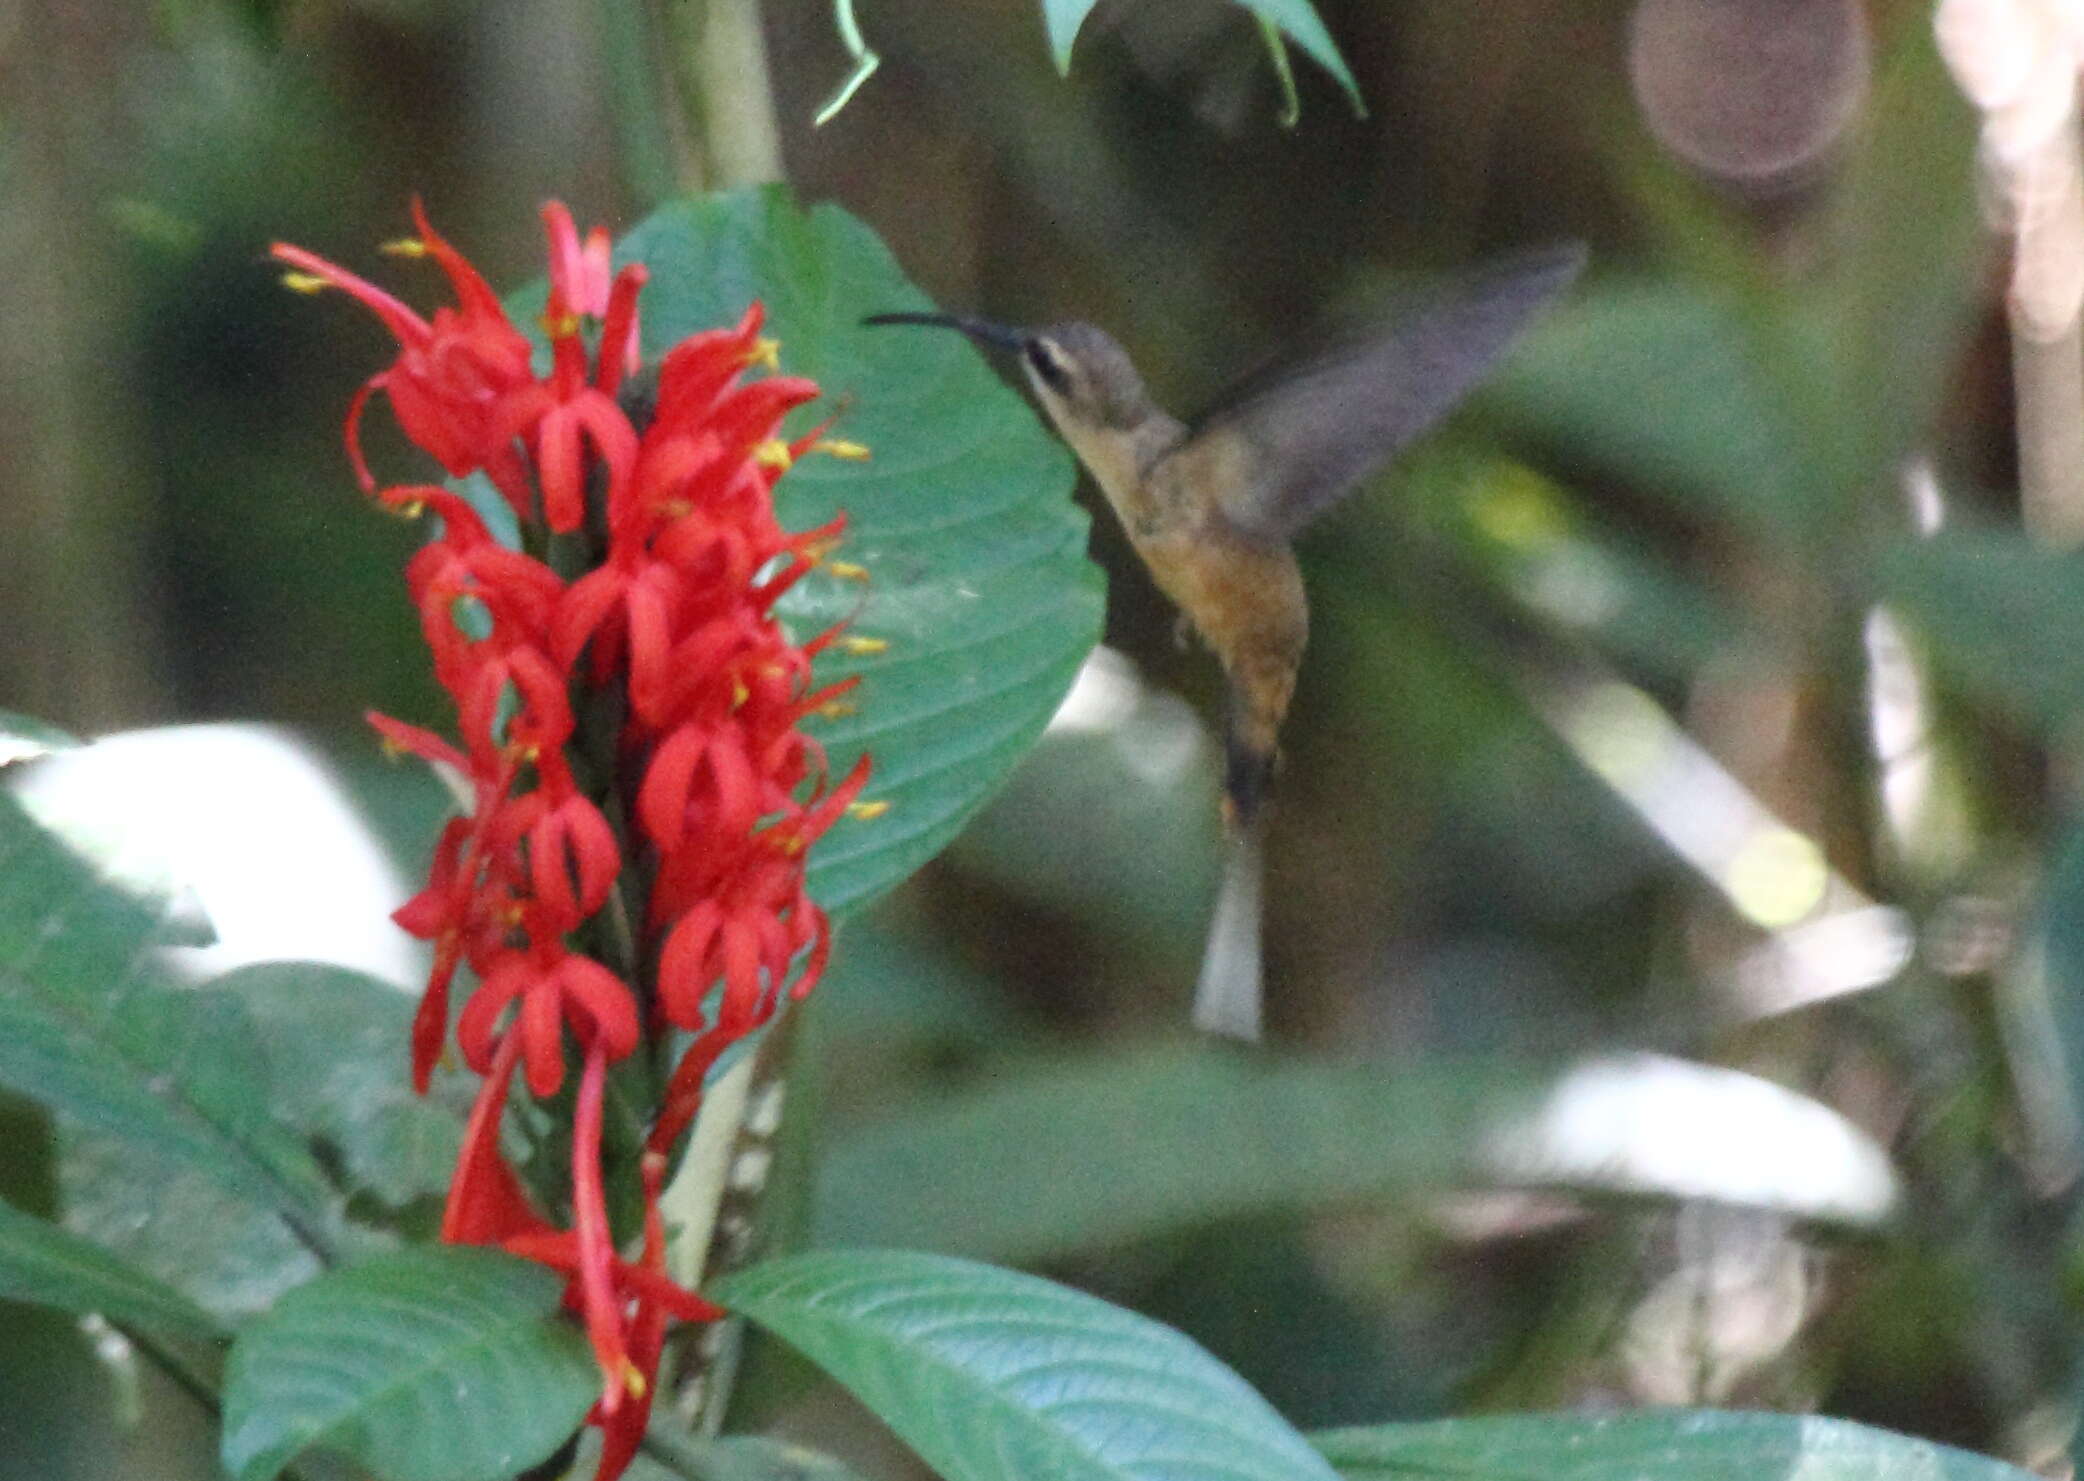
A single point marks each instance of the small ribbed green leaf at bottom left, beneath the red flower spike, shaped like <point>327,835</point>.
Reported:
<point>426,1365</point>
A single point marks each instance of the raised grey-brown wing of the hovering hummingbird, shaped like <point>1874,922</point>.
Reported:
<point>1283,449</point>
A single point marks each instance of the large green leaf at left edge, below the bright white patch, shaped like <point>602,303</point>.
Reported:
<point>89,1028</point>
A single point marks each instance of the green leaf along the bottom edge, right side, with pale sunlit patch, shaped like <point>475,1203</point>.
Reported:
<point>1649,1447</point>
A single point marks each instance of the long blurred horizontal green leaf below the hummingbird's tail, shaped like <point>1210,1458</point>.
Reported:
<point>1131,1147</point>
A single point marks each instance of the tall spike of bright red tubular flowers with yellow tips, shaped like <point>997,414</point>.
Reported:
<point>718,788</point>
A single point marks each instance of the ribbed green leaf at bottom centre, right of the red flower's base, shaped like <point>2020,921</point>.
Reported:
<point>995,1376</point>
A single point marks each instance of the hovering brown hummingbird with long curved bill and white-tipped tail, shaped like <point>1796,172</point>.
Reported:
<point>1214,507</point>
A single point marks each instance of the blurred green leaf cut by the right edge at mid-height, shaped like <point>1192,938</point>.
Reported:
<point>2002,618</point>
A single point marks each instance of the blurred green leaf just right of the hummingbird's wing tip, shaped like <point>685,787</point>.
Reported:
<point>1652,382</point>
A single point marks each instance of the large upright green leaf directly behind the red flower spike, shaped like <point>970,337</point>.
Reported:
<point>976,555</point>
